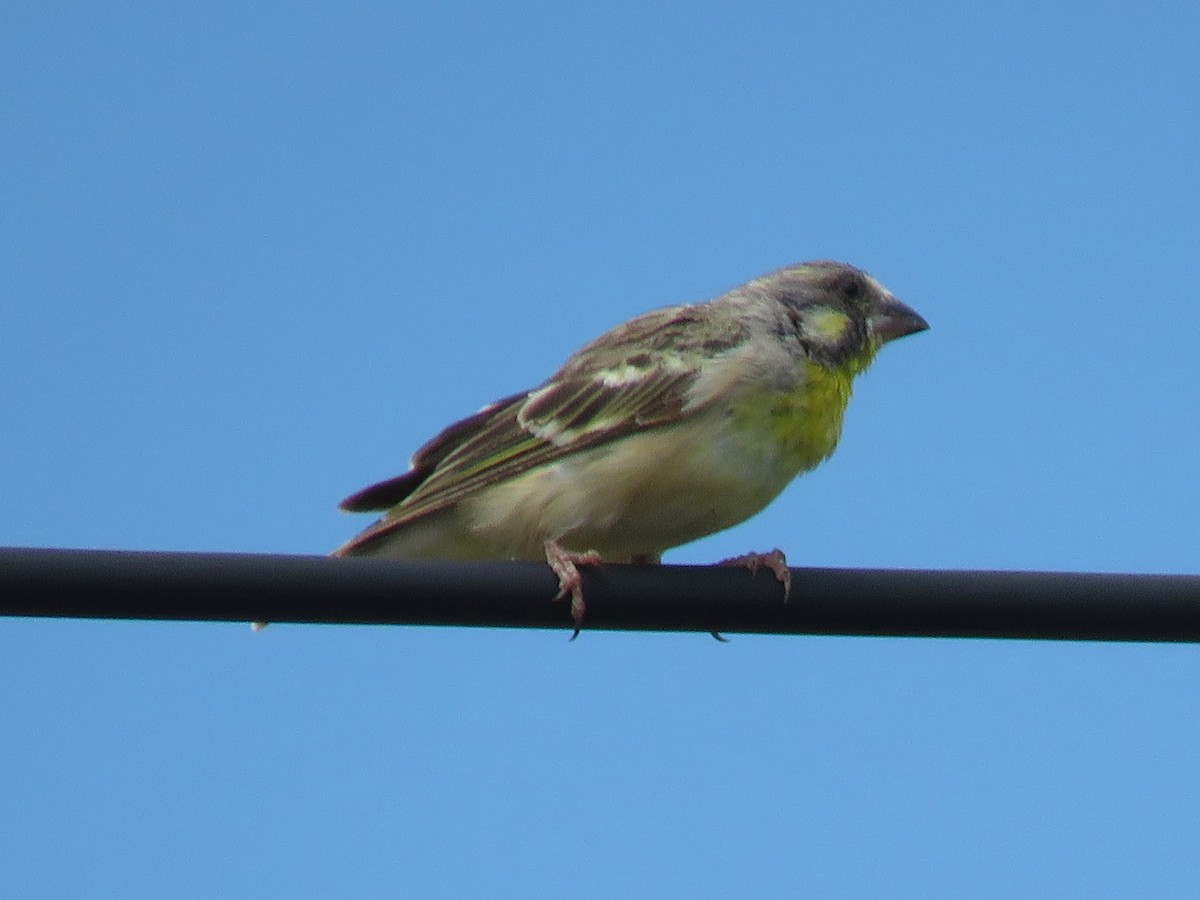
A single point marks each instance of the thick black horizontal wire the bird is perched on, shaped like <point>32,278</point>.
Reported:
<point>237,587</point>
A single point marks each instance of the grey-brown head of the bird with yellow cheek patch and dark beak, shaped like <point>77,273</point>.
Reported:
<point>841,315</point>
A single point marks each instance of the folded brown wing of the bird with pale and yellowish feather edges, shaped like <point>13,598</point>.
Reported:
<point>637,377</point>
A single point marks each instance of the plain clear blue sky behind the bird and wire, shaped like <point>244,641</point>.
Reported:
<point>254,255</point>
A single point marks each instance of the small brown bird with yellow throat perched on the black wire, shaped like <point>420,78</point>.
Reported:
<point>671,427</point>
